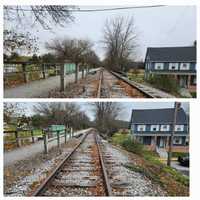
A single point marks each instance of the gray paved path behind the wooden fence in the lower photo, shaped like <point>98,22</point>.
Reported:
<point>30,150</point>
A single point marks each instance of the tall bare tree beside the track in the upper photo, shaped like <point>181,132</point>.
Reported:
<point>120,40</point>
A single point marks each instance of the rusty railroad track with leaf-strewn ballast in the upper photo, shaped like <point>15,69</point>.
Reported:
<point>114,85</point>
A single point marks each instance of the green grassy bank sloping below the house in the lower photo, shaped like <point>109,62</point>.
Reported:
<point>152,167</point>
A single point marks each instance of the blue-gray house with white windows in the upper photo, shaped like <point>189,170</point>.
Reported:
<point>179,62</point>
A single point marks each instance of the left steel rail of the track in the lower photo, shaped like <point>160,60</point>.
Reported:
<point>42,187</point>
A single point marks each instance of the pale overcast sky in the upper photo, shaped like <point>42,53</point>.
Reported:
<point>165,26</point>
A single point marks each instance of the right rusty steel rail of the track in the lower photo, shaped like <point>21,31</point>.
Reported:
<point>105,175</point>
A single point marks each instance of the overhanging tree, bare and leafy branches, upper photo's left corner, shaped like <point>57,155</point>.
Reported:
<point>26,17</point>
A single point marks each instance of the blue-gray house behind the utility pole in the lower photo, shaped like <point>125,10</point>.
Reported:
<point>152,127</point>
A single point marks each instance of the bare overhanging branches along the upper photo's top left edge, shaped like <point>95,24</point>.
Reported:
<point>43,15</point>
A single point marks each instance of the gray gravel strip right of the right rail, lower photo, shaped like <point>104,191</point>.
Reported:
<point>125,182</point>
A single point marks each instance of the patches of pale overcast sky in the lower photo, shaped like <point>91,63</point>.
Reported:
<point>126,111</point>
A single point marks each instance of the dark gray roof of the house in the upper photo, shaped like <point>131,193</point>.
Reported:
<point>171,54</point>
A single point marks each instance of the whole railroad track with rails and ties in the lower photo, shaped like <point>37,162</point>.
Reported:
<point>81,173</point>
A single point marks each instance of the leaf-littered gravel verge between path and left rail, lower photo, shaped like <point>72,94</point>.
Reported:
<point>21,178</point>
